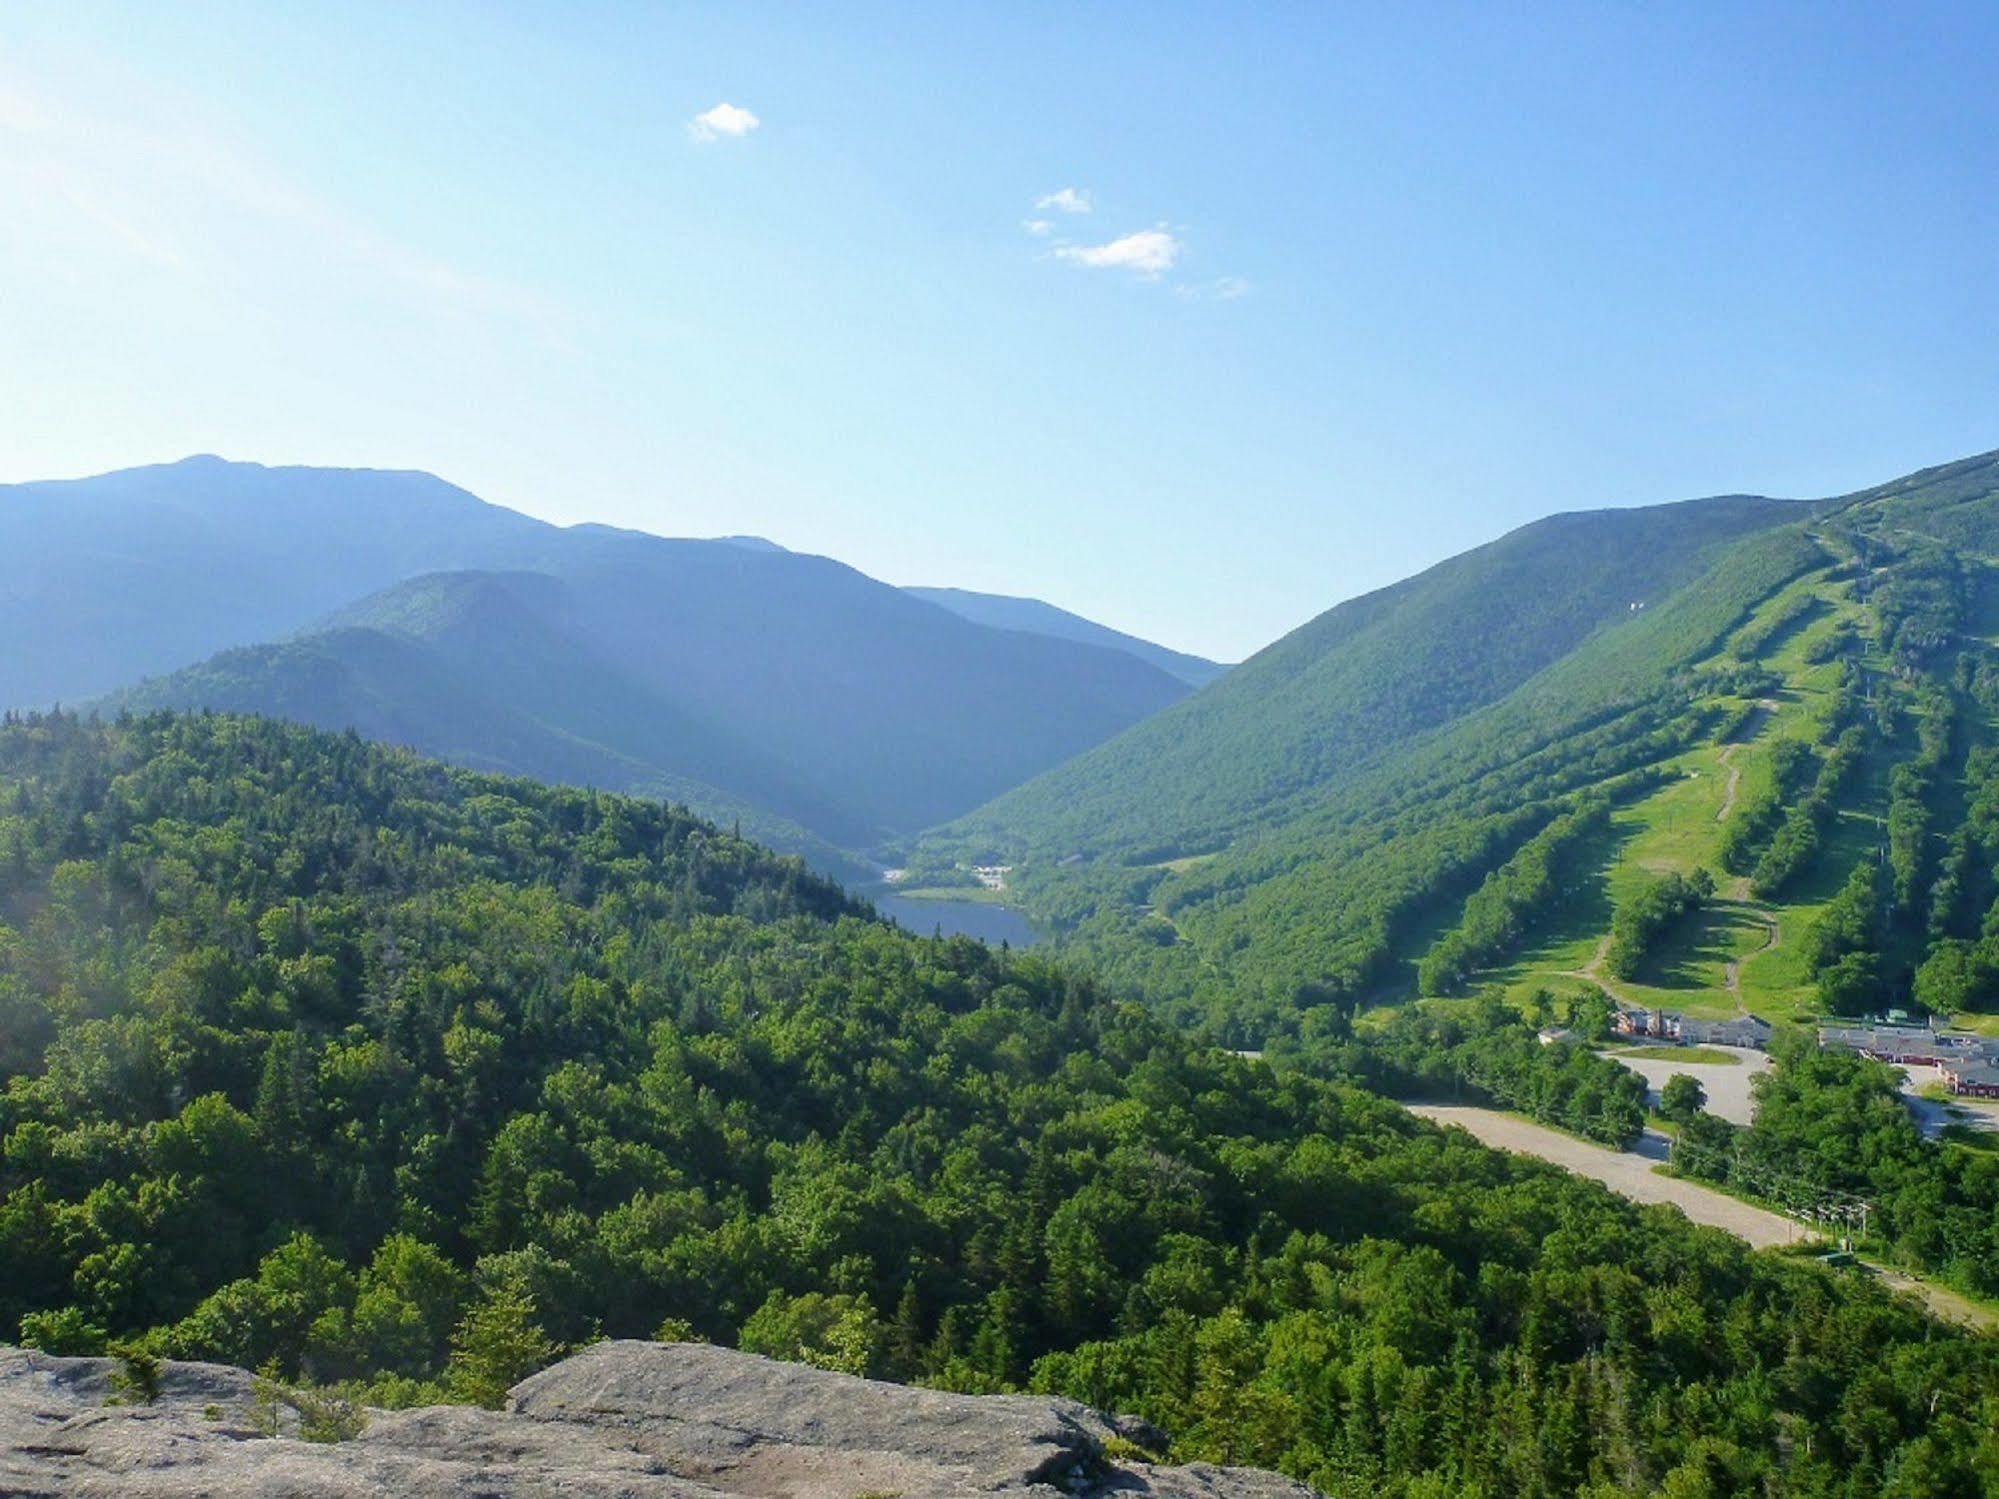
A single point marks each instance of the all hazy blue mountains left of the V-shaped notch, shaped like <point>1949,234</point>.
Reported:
<point>819,707</point>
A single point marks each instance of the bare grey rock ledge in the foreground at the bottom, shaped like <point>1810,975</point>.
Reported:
<point>617,1422</point>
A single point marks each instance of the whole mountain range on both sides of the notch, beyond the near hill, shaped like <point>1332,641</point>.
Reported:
<point>1470,778</point>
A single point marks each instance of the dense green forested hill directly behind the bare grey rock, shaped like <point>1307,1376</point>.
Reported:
<point>347,1064</point>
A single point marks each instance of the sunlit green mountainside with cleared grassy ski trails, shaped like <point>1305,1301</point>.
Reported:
<point>1862,637</point>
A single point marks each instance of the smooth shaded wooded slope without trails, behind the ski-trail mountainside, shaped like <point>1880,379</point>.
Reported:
<point>1362,679</point>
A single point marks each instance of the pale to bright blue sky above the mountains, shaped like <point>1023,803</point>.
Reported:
<point>1356,289</point>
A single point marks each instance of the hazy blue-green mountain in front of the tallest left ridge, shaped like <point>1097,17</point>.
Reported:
<point>791,685</point>
